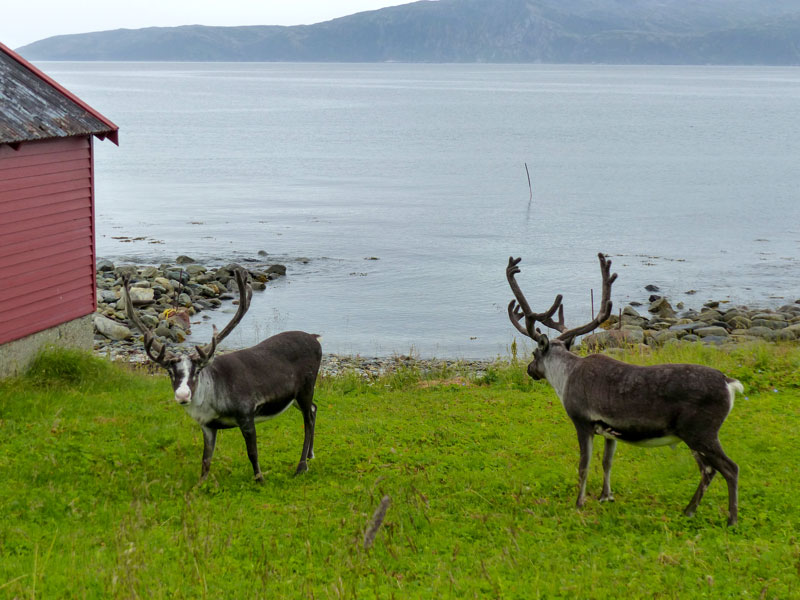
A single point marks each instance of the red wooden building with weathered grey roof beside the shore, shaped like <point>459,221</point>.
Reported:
<point>47,248</point>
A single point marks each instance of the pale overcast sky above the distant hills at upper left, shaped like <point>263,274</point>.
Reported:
<point>26,21</point>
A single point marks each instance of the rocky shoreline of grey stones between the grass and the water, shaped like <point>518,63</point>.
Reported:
<point>170,296</point>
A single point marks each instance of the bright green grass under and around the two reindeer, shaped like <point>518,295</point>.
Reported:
<point>99,494</point>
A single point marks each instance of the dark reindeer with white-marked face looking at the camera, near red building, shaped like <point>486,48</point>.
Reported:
<point>241,388</point>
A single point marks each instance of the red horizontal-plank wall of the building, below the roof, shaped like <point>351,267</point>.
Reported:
<point>47,257</point>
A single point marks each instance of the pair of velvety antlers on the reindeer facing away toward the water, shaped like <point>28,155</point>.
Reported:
<point>516,313</point>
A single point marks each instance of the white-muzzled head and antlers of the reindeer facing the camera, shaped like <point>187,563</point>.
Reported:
<point>184,369</point>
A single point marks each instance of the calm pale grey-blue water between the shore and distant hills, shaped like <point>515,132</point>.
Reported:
<point>689,177</point>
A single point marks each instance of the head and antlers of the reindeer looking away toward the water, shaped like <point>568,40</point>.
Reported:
<point>519,308</point>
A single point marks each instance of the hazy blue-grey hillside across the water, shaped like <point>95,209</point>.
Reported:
<point>552,31</point>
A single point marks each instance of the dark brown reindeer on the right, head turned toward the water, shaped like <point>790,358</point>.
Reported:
<point>645,406</point>
